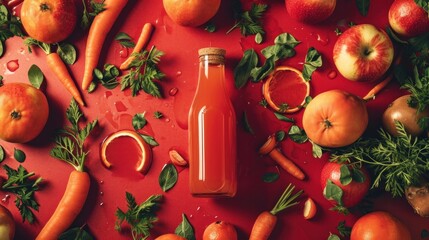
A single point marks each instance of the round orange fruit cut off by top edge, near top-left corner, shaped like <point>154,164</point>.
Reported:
<point>49,21</point>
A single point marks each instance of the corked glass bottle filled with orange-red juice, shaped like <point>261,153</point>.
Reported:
<point>212,131</point>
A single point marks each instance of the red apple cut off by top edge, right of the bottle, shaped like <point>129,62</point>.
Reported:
<point>310,11</point>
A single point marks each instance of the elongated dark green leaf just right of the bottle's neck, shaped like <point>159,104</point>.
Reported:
<point>242,71</point>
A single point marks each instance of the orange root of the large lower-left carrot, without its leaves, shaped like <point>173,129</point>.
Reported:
<point>69,207</point>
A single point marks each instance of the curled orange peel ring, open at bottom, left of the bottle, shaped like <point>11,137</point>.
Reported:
<point>146,153</point>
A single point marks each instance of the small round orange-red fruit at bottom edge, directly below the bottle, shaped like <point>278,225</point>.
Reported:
<point>220,230</point>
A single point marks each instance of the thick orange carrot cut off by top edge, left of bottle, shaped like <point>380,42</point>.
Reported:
<point>98,31</point>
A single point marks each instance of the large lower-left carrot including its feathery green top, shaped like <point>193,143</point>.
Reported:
<point>70,149</point>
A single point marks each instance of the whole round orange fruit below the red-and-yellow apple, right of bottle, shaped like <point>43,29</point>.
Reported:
<point>335,118</point>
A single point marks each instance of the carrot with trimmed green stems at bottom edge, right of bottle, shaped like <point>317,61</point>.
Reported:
<point>266,220</point>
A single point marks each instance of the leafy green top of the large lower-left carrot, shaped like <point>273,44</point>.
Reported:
<point>70,140</point>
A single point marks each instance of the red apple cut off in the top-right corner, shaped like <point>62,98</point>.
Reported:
<point>408,19</point>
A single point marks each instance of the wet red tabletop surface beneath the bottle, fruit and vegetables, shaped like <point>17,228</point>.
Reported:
<point>114,110</point>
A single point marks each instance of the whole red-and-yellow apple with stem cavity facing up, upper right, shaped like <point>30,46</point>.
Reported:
<point>363,53</point>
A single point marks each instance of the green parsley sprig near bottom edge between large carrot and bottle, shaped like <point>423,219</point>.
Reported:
<point>139,216</point>
